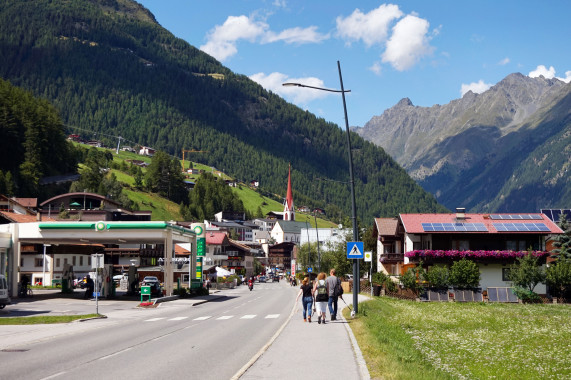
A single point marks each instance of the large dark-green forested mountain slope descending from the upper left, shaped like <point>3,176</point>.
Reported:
<point>111,69</point>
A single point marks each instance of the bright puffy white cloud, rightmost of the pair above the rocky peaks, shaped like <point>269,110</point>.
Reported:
<point>408,43</point>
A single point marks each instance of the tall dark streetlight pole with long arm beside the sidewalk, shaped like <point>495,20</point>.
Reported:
<point>356,277</point>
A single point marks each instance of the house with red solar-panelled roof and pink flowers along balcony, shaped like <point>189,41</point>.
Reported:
<point>493,241</point>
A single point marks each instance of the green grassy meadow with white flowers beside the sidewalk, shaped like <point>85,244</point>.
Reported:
<point>418,340</point>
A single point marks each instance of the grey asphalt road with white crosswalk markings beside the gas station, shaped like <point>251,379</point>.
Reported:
<point>176,340</point>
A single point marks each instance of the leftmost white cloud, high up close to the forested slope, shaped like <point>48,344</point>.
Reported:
<point>221,41</point>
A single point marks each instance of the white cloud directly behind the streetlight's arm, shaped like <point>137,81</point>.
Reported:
<point>300,96</point>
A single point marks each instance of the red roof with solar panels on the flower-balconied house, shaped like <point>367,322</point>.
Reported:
<point>413,222</point>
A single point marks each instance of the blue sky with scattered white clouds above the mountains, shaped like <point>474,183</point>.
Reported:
<point>429,51</point>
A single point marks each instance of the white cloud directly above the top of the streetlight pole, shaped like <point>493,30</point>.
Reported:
<point>372,28</point>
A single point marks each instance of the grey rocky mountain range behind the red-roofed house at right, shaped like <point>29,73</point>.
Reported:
<point>507,149</point>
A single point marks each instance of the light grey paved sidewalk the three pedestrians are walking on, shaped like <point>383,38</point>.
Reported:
<point>305,349</point>
